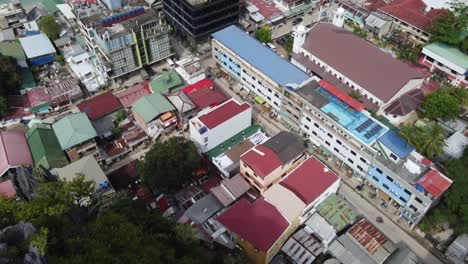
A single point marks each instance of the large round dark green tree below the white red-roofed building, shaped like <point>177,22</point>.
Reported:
<point>169,164</point>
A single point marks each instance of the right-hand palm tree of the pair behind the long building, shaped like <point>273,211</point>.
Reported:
<point>433,141</point>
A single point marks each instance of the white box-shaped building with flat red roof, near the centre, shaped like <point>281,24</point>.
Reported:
<point>211,128</point>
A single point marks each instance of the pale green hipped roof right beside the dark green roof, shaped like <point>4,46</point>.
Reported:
<point>73,129</point>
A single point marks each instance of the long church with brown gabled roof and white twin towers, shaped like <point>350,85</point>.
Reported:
<point>332,53</point>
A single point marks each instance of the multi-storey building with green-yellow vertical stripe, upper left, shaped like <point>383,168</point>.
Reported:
<point>126,41</point>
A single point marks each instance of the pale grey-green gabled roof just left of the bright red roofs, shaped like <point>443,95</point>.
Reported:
<point>151,106</point>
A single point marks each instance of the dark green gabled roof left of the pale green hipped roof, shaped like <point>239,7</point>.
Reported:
<point>45,148</point>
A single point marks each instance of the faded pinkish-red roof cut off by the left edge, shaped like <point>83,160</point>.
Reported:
<point>14,150</point>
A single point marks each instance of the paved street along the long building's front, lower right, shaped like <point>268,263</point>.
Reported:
<point>389,228</point>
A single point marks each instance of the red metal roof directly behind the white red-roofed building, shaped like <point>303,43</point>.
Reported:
<point>204,94</point>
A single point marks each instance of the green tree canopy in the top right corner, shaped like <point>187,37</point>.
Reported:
<point>449,28</point>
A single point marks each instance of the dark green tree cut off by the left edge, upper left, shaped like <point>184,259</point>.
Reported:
<point>10,75</point>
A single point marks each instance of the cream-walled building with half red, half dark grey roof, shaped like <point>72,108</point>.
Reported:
<point>268,163</point>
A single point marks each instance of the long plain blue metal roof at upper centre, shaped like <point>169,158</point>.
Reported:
<point>261,57</point>
